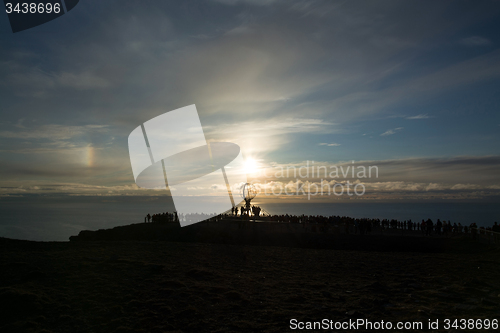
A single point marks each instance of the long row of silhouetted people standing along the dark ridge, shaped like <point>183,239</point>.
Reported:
<point>319,223</point>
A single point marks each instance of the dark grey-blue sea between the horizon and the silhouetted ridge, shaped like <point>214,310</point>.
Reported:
<point>48,218</point>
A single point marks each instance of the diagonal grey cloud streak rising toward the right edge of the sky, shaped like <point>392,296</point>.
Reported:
<point>358,103</point>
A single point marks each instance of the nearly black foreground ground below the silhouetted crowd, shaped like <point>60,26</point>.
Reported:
<point>163,286</point>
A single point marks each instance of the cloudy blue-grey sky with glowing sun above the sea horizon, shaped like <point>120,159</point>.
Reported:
<point>408,86</point>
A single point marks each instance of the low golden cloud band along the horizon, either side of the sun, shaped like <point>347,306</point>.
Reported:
<point>397,179</point>
